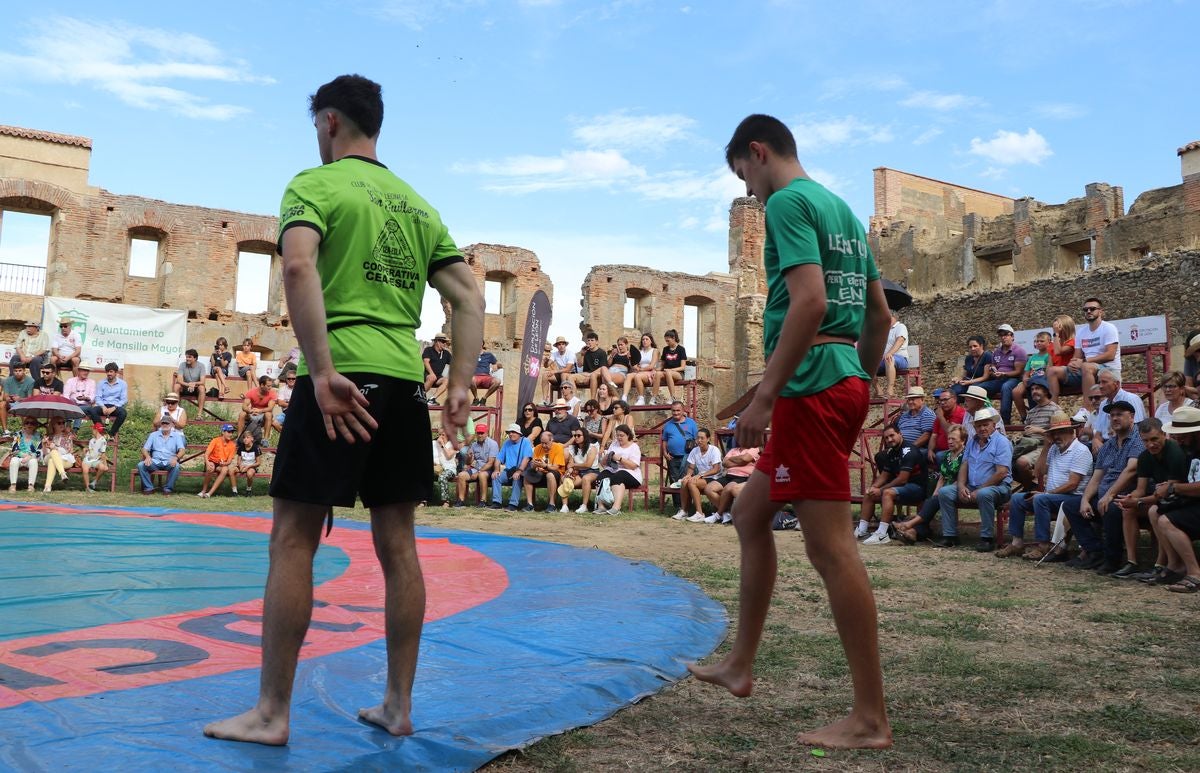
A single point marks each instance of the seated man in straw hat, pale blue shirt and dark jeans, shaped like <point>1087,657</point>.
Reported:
<point>1066,464</point>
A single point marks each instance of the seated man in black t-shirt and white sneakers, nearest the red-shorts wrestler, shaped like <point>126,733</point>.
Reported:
<point>902,478</point>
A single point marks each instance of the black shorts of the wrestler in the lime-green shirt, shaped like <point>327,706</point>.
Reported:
<point>394,468</point>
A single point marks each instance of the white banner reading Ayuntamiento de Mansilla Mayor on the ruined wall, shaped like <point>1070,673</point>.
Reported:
<point>122,334</point>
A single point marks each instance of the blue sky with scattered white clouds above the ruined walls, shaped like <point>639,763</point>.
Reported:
<point>593,133</point>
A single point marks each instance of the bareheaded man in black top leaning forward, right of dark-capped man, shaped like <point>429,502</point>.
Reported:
<point>1162,463</point>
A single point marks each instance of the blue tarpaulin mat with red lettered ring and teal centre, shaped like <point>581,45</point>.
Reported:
<point>124,632</point>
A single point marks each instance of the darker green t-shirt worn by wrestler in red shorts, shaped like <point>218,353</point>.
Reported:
<point>807,224</point>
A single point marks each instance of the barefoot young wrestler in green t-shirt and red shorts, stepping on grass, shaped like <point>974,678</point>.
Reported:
<point>824,295</point>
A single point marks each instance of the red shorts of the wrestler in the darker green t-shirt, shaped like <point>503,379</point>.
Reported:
<point>811,442</point>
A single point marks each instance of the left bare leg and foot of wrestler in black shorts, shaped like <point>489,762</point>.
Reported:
<point>287,609</point>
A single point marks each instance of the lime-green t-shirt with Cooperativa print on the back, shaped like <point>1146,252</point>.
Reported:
<point>380,242</point>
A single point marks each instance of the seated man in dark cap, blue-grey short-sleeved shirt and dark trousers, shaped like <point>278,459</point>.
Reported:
<point>1097,520</point>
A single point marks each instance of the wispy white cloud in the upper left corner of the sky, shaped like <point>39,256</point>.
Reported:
<point>131,63</point>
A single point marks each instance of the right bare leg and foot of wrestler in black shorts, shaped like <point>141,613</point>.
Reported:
<point>405,602</point>
